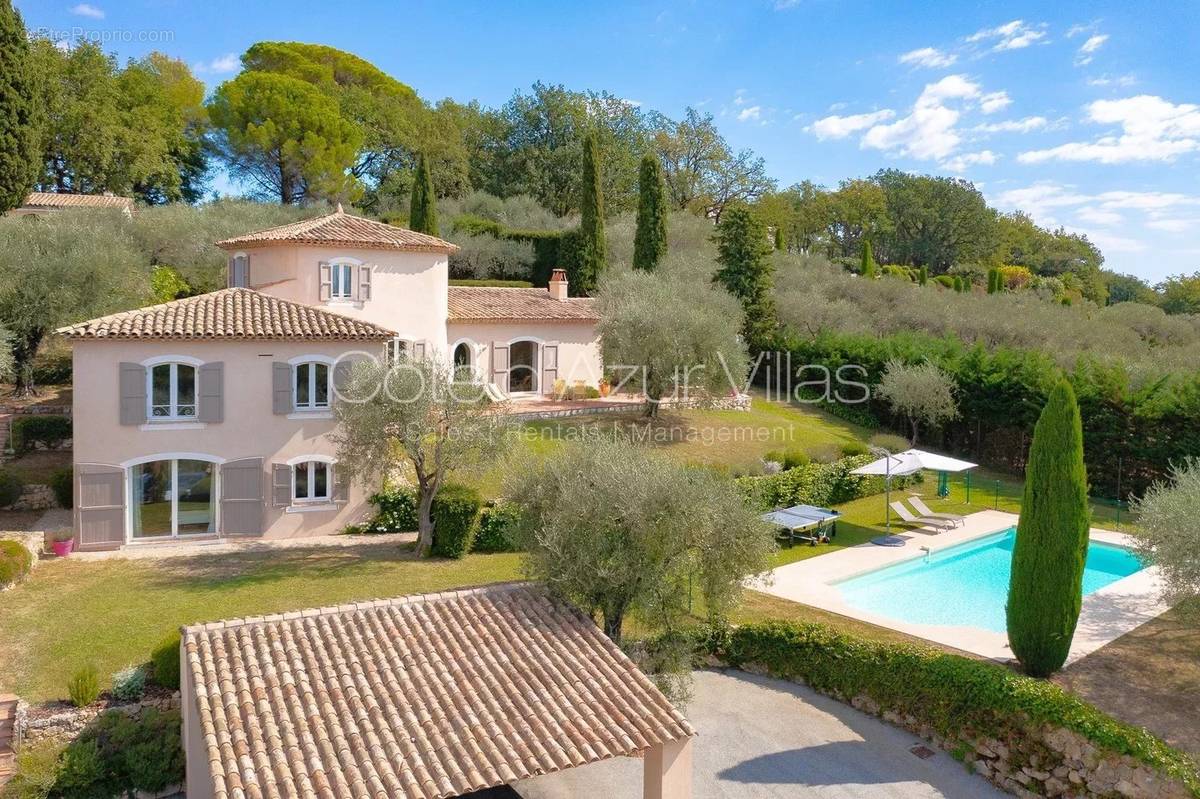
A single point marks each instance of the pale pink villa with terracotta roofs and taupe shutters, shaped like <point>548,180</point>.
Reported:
<point>209,417</point>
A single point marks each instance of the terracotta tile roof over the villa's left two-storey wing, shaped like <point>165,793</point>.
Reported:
<point>229,314</point>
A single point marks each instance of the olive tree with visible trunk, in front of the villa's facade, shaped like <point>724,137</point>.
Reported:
<point>418,417</point>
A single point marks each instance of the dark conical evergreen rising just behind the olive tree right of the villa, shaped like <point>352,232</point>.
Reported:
<point>743,249</point>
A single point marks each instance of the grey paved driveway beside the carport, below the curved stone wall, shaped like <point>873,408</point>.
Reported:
<point>767,738</point>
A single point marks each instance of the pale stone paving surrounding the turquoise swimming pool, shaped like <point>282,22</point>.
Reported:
<point>1106,615</point>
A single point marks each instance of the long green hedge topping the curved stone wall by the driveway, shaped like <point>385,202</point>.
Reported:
<point>958,698</point>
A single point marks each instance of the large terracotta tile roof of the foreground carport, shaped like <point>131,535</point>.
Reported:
<point>423,696</point>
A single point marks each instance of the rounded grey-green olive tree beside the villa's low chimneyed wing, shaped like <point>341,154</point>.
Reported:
<point>673,338</point>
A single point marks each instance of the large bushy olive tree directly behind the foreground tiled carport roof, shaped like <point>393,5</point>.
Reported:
<point>615,528</point>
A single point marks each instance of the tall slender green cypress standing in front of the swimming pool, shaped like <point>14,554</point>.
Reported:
<point>1046,588</point>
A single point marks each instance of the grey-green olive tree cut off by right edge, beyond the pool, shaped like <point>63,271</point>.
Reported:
<point>1168,533</point>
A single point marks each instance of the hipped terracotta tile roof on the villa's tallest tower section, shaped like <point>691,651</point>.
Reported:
<point>343,230</point>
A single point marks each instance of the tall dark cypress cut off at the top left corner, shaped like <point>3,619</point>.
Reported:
<point>19,129</point>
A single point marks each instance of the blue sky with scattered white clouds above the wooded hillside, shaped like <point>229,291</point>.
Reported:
<point>1083,115</point>
